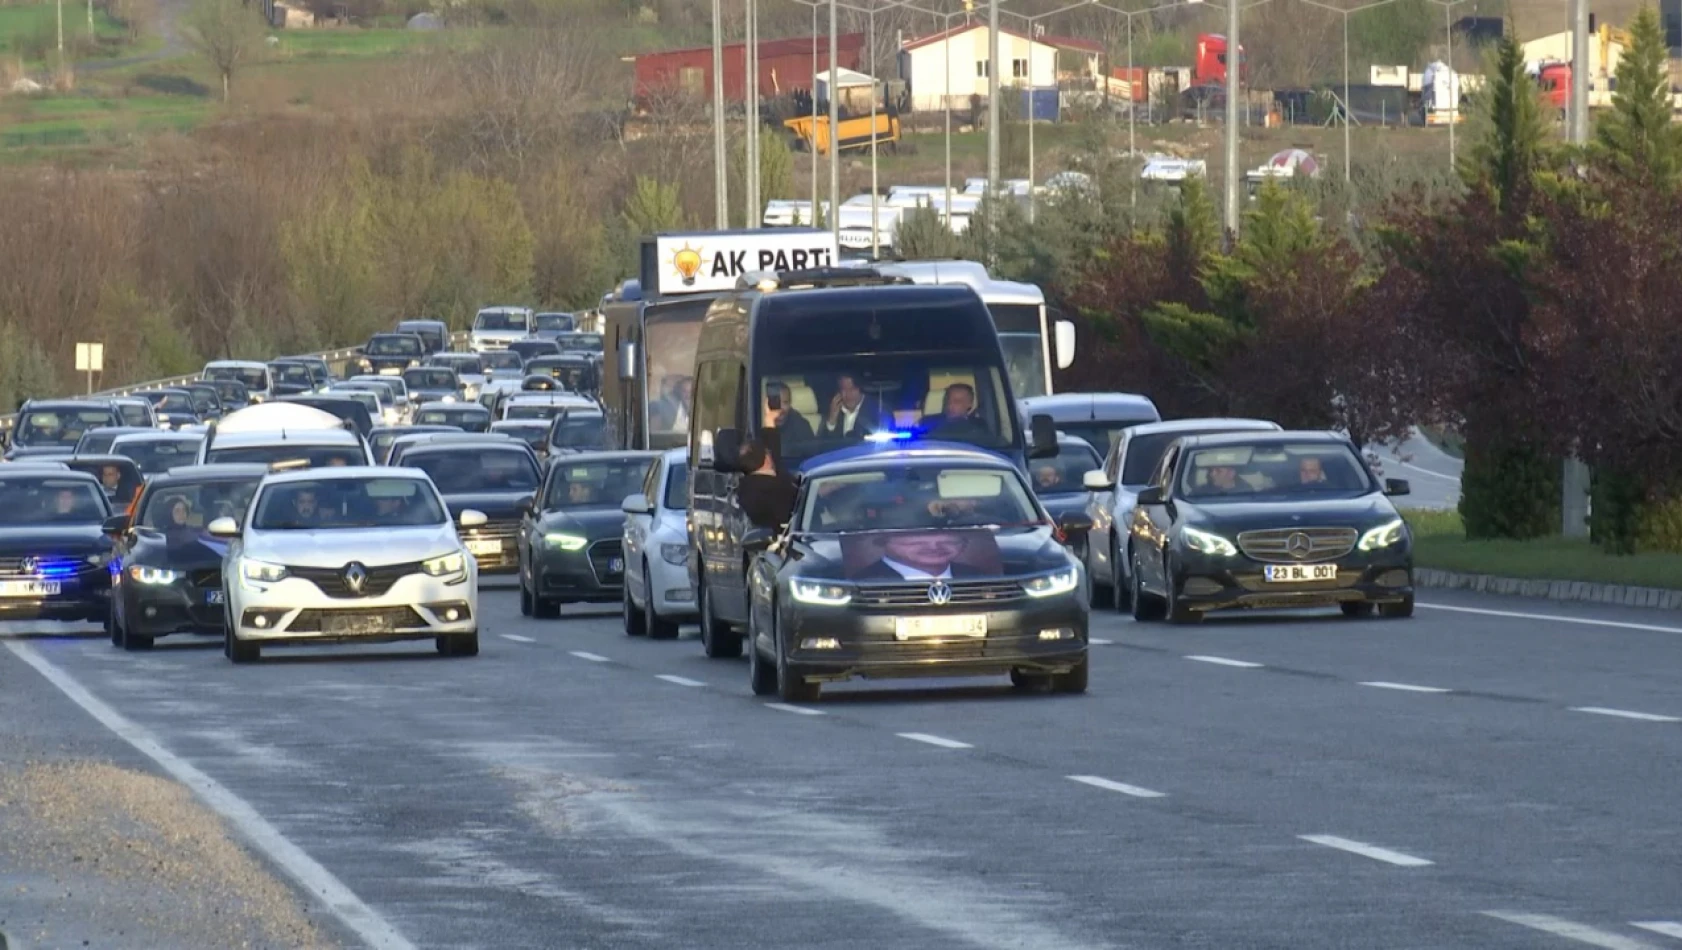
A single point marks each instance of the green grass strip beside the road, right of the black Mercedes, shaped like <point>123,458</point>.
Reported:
<point>1441,542</point>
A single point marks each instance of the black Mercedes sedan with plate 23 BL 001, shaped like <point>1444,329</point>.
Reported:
<point>1269,520</point>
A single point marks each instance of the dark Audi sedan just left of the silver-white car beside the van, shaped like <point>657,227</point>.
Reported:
<point>573,534</point>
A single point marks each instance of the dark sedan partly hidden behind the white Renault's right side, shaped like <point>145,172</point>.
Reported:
<point>484,477</point>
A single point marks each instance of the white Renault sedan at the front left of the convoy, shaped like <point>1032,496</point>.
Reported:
<point>349,556</point>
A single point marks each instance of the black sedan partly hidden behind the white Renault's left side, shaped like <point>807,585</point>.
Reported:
<point>169,576</point>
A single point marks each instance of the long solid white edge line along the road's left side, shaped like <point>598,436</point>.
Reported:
<point>307,872</point>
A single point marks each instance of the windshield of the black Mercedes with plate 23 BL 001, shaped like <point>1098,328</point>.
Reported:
<point>1274,472</point>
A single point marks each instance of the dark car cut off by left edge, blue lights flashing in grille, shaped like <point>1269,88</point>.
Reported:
<point>55,551</point>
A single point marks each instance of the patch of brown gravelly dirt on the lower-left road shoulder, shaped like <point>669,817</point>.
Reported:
<point>147,857</point>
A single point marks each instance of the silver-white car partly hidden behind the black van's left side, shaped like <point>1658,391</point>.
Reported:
<point>659,591</point>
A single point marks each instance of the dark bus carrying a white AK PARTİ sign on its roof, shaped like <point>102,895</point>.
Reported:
<point>652,325</point>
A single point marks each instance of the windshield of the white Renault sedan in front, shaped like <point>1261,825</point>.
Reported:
<point>347,504</point>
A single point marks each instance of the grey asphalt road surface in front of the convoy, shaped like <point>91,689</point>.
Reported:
<point>1493,774</point>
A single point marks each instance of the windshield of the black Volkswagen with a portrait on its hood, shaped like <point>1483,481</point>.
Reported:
<point>918,495</point>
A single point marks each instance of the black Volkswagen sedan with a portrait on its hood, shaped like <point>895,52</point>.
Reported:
<point>916,564</point>
